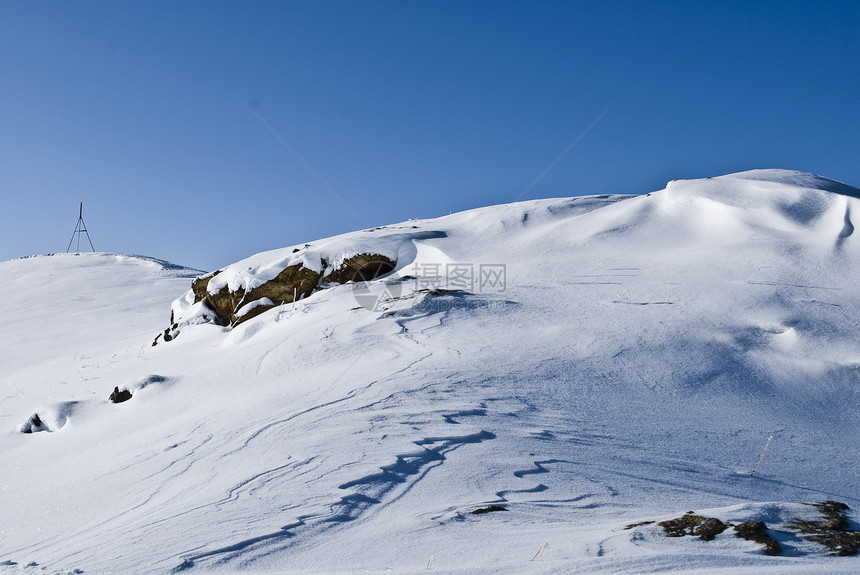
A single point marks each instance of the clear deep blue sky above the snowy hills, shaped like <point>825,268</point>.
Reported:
<point>176,122</point>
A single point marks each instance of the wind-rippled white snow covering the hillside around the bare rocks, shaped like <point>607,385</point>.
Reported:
<point>610,360</point>
